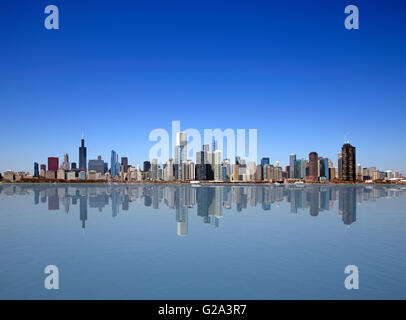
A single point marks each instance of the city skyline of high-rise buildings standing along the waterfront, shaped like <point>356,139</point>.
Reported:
<point>209,166</point>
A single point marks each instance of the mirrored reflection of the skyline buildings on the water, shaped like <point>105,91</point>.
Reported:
<point>209,201</point>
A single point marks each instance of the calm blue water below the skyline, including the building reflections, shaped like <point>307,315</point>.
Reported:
<point>215,242</point>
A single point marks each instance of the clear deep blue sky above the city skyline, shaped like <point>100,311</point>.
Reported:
<point>119,69</point>
